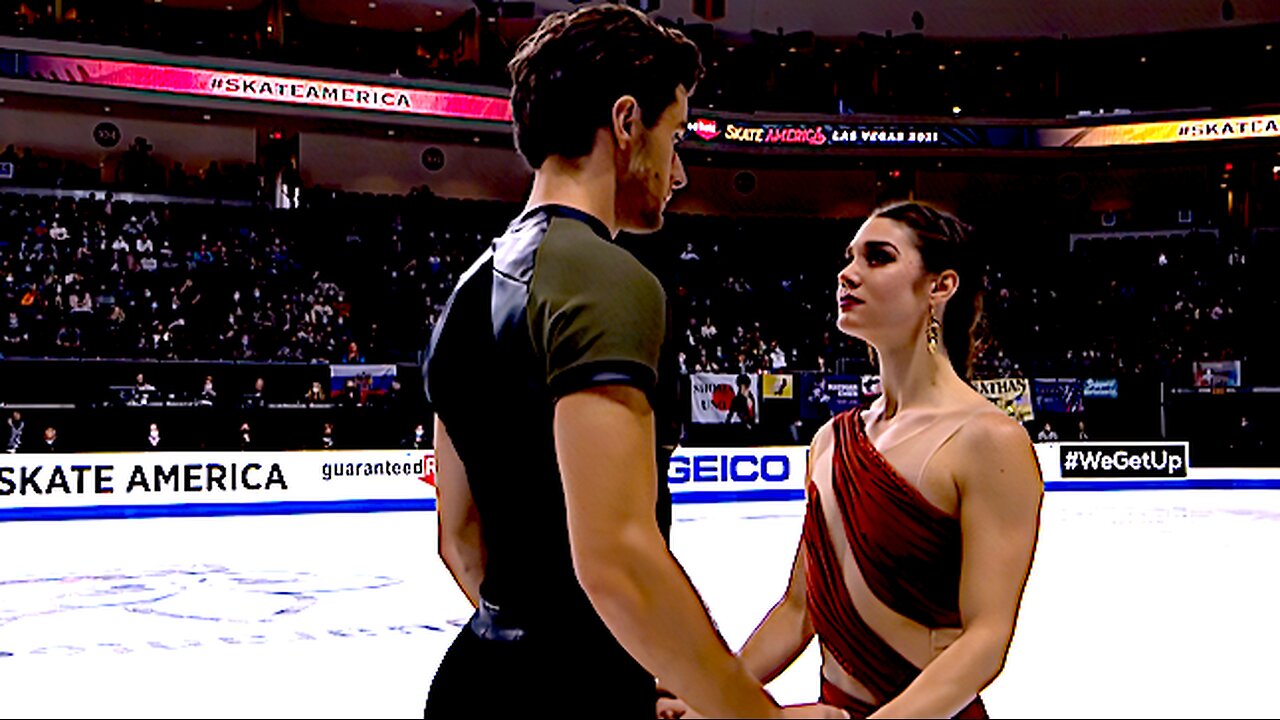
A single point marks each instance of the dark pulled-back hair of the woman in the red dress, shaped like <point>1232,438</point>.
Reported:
<point>945,244</point>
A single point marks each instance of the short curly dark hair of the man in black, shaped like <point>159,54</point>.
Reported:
<point>568,75</point>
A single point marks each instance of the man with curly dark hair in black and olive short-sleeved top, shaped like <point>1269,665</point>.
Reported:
<point>548,375</point>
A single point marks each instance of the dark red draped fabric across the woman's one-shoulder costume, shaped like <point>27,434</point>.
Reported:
<point>907,550</point>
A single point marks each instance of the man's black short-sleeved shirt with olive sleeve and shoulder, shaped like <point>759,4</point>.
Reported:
<point>552,308</point>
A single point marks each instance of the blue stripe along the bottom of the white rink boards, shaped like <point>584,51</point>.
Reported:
<point>428,505</point>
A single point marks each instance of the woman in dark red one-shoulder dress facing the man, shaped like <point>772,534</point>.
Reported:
<point>922,509</point>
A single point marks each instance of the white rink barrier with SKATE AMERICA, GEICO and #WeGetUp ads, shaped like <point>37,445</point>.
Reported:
<point>157,485</point>
